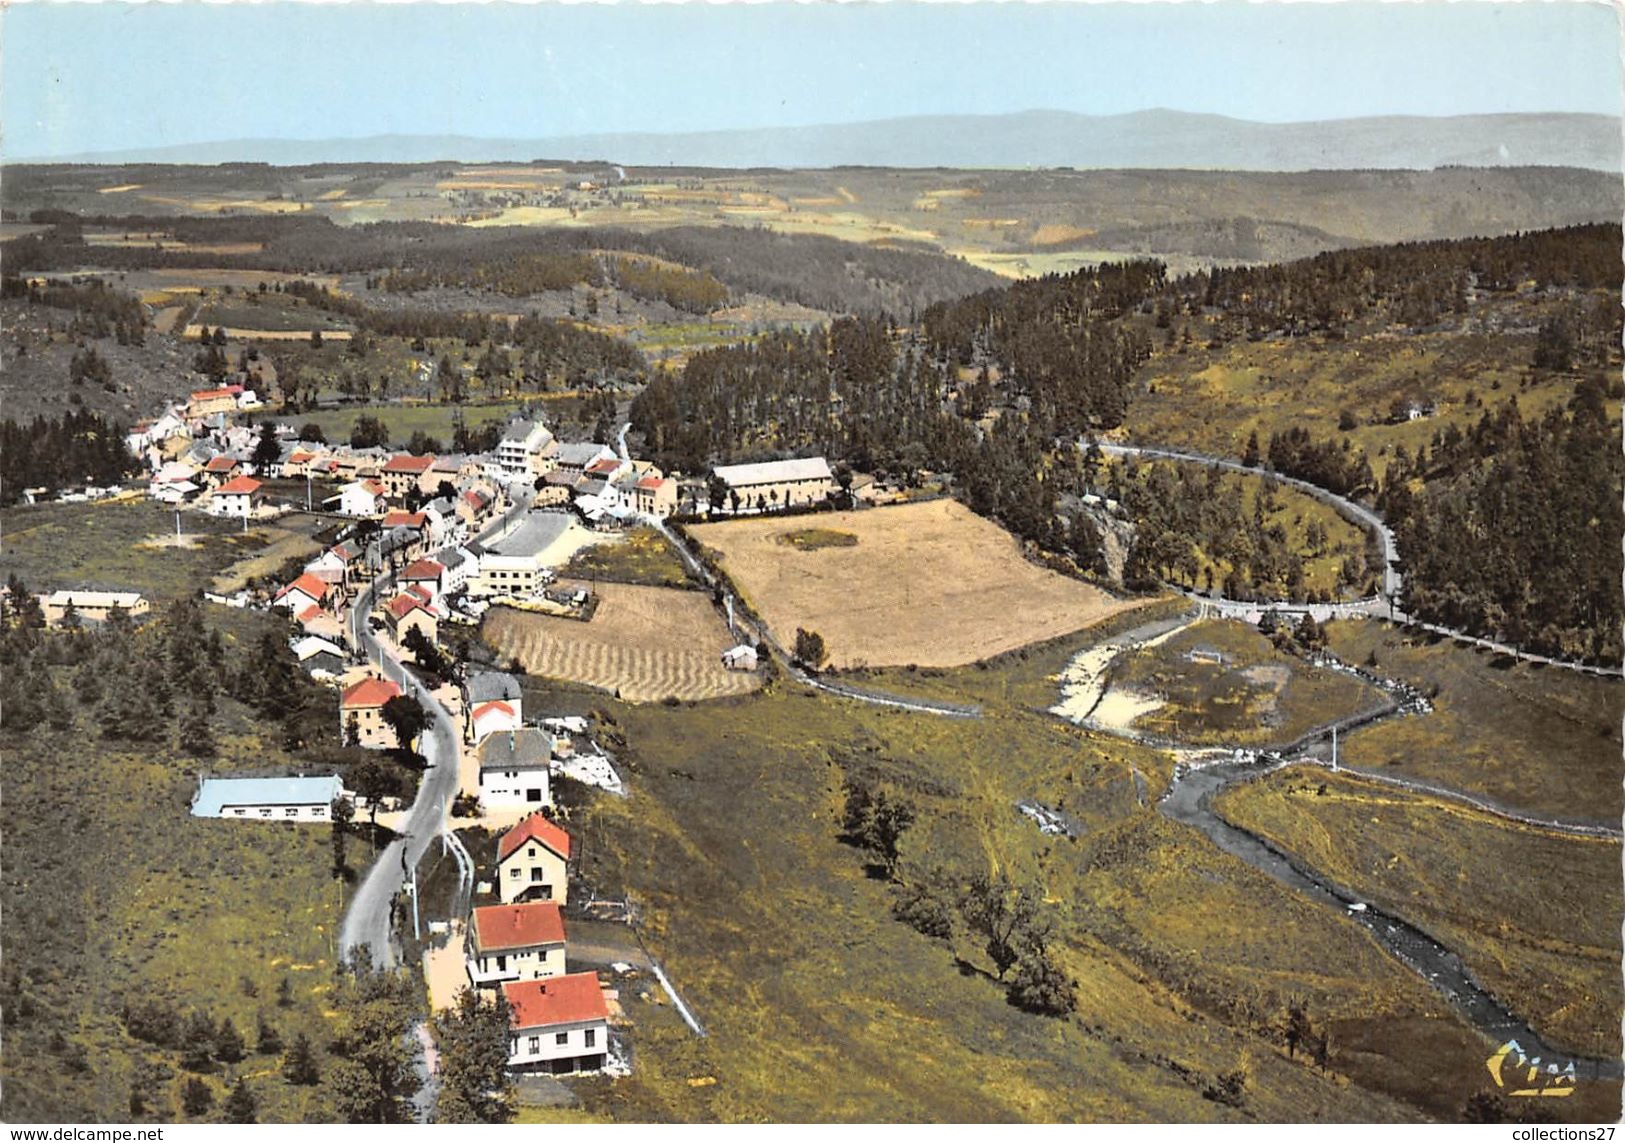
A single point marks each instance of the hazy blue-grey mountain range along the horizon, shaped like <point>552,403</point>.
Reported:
<point>1034,139</point>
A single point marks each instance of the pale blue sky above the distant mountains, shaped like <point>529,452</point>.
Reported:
<point>100,77</point>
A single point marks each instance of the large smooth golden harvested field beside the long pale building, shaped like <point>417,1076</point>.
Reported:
<point>930,585</point>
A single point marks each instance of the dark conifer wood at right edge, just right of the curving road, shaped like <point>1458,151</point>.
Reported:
<point>1517,528</point>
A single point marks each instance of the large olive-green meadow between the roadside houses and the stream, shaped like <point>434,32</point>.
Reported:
<point>820,1006</point>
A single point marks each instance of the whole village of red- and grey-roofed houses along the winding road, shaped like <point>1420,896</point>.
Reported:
<point>425,542</point>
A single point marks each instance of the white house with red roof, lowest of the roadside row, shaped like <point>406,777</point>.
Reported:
<point>560,1025</point>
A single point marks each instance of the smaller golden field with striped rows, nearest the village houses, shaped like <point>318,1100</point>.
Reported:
<point>646,643</point>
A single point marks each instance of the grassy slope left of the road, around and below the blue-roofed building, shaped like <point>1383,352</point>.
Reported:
<point>154,905</point>
